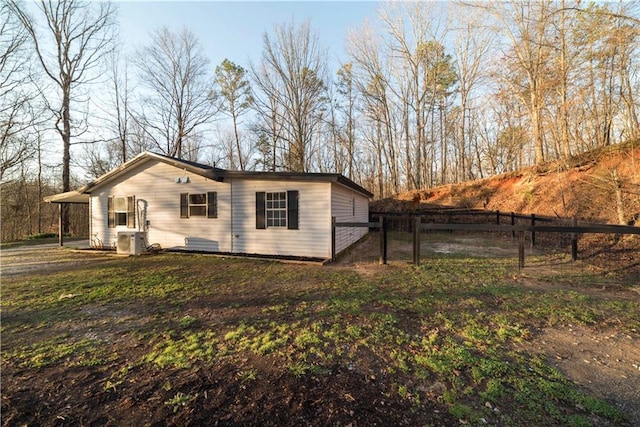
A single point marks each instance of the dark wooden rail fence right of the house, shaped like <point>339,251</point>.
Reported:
<point>535,224</point>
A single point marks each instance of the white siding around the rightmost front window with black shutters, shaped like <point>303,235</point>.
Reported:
<point>311,239</point>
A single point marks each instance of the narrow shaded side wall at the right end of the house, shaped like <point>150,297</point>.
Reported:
<point>342,200</point>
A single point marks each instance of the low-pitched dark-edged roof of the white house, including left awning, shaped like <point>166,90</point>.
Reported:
<point>206,171</point>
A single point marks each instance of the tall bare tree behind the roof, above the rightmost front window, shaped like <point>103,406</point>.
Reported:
<point>291,80</point>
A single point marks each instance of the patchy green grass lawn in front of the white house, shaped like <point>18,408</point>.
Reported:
<point>175,339</point>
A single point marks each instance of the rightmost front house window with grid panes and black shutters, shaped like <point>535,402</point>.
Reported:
<point>277,210</point>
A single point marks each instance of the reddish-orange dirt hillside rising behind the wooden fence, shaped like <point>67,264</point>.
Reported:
<point>581,187</point>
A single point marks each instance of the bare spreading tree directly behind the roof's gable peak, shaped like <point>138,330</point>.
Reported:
<point>176,90</point>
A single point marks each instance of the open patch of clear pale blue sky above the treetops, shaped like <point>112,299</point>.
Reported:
<point>234,29</point>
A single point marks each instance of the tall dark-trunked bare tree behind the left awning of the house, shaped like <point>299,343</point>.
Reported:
<point>70,48</point>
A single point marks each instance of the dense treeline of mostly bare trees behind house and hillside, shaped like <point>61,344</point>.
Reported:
<point>426,93</point>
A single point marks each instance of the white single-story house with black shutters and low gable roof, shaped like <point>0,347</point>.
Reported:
<point>185,205</point>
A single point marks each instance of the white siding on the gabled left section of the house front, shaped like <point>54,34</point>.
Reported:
<point>156,192</point>
